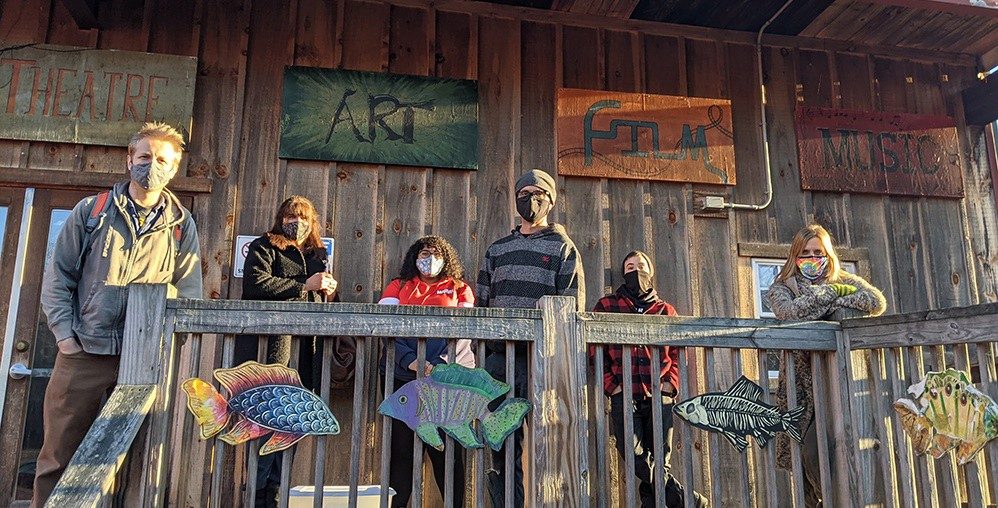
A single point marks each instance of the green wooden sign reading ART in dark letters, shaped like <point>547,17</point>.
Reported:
<point>337,115</point>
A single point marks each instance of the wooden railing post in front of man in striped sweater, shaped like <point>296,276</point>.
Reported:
<point>559,458</point>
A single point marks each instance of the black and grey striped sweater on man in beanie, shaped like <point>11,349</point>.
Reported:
<point>518,270</point>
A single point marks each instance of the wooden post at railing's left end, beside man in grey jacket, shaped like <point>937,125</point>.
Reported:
<point>149,358</point>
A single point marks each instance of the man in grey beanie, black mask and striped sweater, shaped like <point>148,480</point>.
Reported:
<point>536,259</point>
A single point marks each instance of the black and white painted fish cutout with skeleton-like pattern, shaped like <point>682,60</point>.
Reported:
<point>738,413</point>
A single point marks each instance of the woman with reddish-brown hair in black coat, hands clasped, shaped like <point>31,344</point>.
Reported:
<point>289,264</point>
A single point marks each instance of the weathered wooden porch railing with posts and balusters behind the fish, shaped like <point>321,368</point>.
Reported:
<point>143,449</point>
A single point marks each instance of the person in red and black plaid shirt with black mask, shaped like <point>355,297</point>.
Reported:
<point>637,296</point>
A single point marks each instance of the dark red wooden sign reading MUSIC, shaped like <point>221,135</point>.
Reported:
<point>878,152</point>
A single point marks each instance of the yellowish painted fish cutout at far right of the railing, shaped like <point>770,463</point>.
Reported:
<point>948,413</point>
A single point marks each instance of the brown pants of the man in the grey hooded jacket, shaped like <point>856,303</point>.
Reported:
<point>72,401</point>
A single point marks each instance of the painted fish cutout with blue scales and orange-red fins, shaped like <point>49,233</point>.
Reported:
<point>263,399</point>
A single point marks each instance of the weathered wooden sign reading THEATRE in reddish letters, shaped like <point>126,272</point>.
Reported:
<point>96,97</point>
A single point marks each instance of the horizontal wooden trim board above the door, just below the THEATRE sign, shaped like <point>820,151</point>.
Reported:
<point>17,177</point>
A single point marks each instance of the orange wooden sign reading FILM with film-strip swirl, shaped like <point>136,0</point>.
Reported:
<point>646,137</point>
